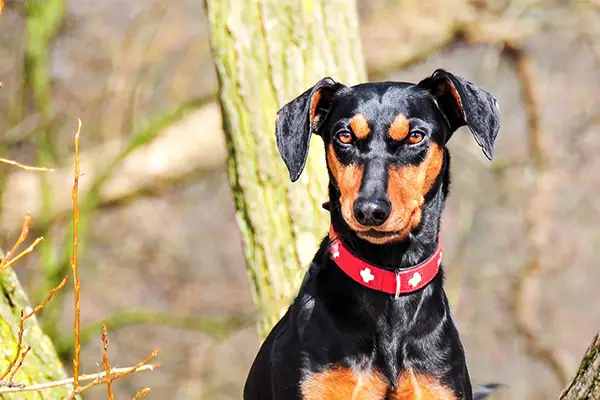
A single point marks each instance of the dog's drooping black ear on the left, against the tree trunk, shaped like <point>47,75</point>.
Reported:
<point>298,119</point>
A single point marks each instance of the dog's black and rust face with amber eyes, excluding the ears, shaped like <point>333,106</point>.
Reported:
<point>384,146</point>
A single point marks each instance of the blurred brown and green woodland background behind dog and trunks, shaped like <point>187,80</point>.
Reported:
<point>161,257</point>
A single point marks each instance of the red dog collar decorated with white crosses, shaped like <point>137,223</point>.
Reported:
<point>376,278</point>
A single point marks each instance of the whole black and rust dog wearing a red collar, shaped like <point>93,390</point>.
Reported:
<point>371,320</point>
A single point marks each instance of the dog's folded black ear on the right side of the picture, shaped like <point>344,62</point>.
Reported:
<point>464,103</point>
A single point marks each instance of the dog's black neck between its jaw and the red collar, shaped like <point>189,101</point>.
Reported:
<point>420,243</point>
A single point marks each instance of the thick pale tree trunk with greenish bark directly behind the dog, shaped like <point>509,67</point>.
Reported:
<point>266,53</point>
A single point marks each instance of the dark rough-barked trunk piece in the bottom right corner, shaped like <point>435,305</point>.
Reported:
<point>586,383</point>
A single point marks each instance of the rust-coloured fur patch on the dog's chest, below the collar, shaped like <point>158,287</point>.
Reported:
<point>342,383</point>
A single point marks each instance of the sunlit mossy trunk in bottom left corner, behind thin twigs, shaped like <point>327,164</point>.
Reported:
<point>42,363</point>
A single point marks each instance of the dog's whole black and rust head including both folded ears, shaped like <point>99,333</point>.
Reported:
<point>385,144</point>
